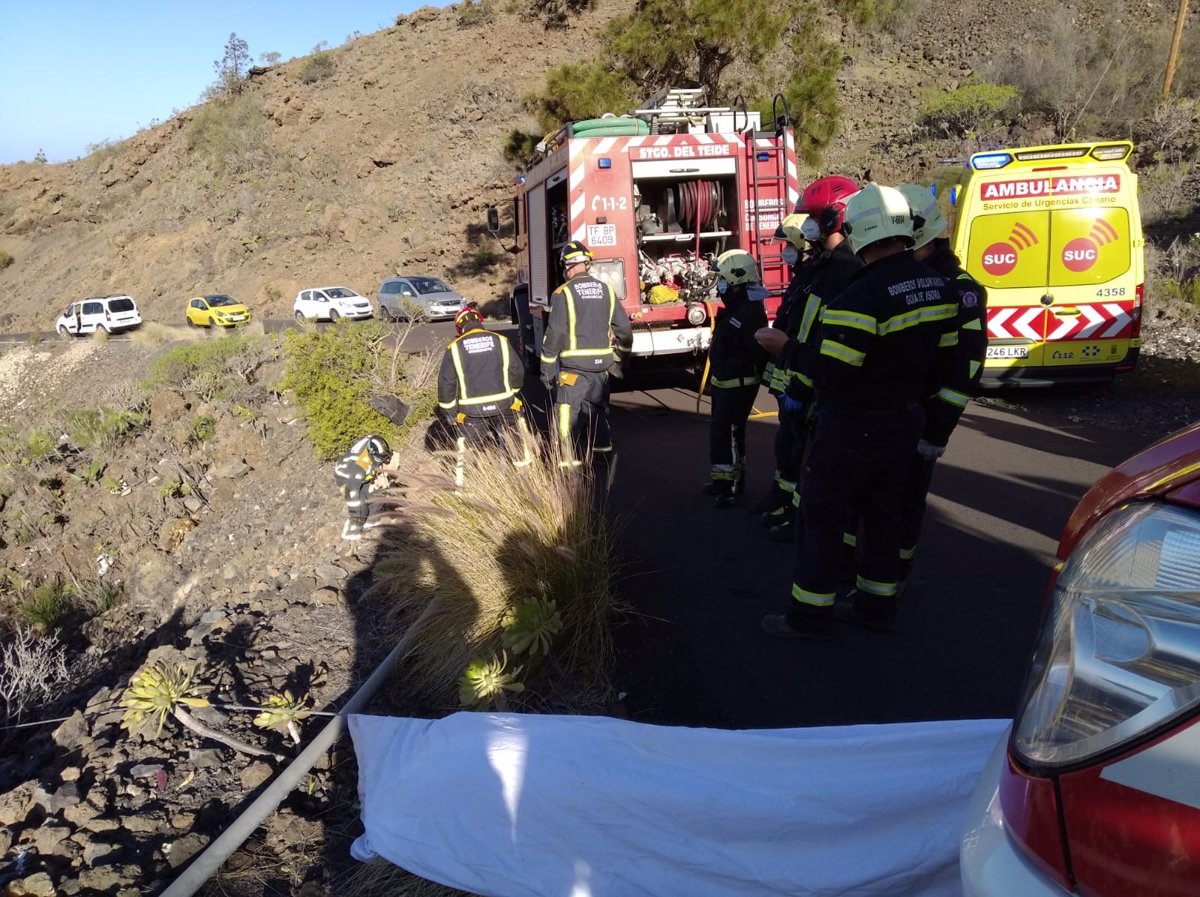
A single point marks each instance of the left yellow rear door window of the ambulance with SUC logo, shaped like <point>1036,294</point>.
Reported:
<point>1010,250</point>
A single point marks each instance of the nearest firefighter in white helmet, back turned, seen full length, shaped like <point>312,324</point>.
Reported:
<point>881,344</point>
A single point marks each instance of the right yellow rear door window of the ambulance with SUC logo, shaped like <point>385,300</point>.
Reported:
<point>1089,245</point>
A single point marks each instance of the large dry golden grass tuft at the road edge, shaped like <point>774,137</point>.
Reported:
<point>467,558</point>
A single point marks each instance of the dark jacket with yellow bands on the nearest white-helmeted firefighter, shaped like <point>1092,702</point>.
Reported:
<point>886,340</point>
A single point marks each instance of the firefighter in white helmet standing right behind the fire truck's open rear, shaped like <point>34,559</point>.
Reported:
<point>736,363</point>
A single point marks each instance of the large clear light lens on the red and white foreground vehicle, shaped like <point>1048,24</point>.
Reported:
<point>1119,658</point>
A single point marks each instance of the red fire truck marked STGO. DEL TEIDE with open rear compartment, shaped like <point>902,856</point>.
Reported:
<point>657,196</point>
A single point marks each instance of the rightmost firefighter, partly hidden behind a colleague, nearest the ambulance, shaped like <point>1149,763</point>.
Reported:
<point>945,407</point>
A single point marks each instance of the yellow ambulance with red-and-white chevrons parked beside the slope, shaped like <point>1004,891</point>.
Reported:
<point>1055,236</point>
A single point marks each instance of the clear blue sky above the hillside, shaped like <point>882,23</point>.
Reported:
<point>76,74</point>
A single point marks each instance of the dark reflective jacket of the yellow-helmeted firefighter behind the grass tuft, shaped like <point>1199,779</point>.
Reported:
<point>584,314</point>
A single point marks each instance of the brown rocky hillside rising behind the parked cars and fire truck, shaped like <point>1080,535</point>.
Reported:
<point>385,156</point>
